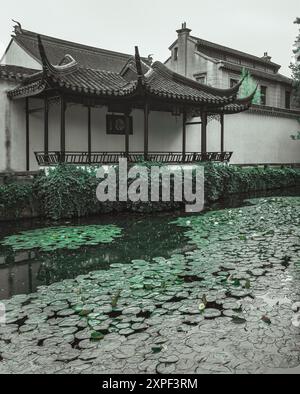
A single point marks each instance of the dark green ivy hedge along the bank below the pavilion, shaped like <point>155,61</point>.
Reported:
<point>69,191</point>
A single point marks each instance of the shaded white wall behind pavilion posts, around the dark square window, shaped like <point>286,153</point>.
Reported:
<point>165,132</point>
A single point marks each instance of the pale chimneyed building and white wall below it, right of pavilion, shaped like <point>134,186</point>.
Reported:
<point>263,133</point>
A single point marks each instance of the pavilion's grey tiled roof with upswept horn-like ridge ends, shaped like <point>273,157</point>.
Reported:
<point>158,81</point>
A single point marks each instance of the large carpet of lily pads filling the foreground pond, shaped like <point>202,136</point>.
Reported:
<point>229,306</point>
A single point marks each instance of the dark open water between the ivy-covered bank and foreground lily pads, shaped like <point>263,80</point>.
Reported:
<point>144,237</point>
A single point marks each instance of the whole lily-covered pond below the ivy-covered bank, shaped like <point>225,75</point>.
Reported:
<point>217,292</point>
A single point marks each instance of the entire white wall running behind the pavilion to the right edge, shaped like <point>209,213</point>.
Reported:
<point>253,138</point>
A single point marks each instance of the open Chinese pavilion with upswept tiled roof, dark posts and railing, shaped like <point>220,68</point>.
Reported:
<point>140,86</point>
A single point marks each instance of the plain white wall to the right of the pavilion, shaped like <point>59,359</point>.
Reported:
<point>257,139</point>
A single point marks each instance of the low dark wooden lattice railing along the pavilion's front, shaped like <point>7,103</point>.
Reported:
<point>85,158</point>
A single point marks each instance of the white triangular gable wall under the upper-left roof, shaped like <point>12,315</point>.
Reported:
<point>17,56</point>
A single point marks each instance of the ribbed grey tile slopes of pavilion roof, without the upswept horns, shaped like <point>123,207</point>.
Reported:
<point>159,82</point>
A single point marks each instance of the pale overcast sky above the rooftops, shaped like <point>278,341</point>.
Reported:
<point>254,26</point>
